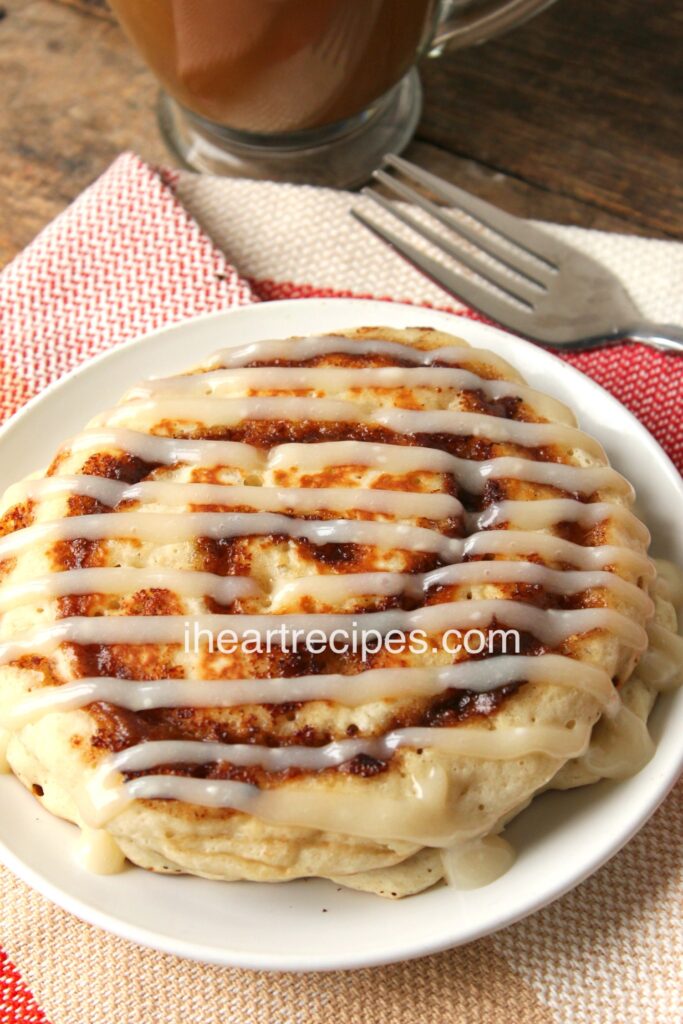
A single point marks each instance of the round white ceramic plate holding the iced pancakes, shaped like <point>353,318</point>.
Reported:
<point>561,839</point>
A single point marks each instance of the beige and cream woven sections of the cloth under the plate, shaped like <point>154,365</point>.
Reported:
<point>610,952</point>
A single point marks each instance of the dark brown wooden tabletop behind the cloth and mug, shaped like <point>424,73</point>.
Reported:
<point>574,117</point>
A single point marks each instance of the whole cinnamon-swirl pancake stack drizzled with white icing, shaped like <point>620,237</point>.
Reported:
<point>334,607</point>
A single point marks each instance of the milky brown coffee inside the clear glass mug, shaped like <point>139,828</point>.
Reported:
<point>278,66</point>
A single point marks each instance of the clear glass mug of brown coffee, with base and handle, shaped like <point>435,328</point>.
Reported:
<point>300,91</point>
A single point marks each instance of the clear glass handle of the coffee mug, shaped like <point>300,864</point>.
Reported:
<point>460,27</point>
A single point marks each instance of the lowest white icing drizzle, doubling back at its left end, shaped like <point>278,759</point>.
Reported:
<point>424,815</point>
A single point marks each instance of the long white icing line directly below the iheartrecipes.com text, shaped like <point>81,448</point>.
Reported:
<point>353,692</point>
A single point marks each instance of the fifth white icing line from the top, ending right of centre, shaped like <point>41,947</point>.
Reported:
<point>398,503</point>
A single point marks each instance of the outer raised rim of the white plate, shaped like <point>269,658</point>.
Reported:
<point>295,963</point>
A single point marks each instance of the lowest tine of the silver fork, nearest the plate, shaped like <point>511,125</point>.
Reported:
<point>473,294</point>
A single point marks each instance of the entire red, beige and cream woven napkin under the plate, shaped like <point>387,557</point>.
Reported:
<point>144,248</point>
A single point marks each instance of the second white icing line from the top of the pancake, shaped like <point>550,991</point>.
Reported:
<point>326,379</point>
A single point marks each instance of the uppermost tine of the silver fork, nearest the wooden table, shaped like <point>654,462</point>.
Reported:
<point>514,229</point>
